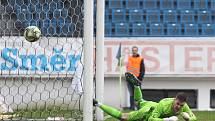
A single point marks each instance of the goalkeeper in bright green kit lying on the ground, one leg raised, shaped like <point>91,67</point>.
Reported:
<point>166,110</point>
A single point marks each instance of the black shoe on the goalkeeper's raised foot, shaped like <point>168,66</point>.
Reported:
<point>132,78</point>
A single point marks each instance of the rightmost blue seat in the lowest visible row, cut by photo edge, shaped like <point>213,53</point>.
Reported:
<point>208,29</point>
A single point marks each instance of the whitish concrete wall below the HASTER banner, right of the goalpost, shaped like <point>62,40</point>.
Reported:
<point>201,84</point>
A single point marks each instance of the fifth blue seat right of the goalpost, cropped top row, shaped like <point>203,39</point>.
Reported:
<point>184,4</point>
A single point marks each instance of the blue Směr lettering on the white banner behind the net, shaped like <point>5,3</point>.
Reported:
<point>13,60</point>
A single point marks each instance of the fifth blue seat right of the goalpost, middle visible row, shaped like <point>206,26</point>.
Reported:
<point>187,16</point>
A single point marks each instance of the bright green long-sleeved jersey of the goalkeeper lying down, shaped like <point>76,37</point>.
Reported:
<point>164,109</point>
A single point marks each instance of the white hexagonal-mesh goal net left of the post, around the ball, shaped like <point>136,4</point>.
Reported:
<point>43,79</point>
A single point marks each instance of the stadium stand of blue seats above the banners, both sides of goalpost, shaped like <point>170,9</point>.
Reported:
<point>178,15</point>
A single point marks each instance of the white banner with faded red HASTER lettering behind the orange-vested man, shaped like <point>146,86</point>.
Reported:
<point>166,56</point>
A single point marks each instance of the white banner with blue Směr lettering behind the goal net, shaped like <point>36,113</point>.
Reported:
<point>48,56</point>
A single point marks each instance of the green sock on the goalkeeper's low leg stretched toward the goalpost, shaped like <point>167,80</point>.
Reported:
<point>111,111</point>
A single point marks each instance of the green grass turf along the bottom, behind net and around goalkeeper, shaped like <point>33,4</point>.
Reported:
<point>77,115</point>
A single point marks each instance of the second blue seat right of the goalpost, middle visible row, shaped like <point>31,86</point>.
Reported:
<point>135,15</point>
